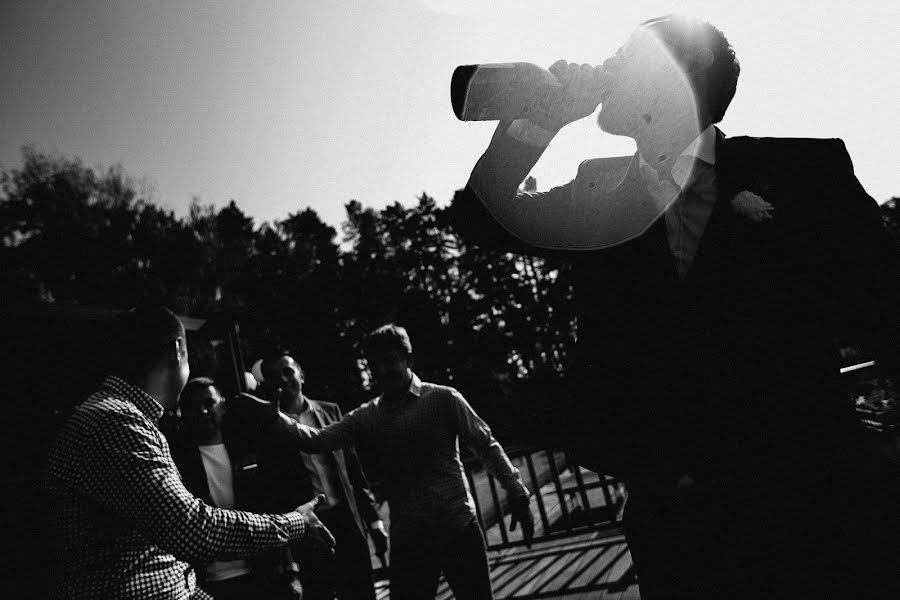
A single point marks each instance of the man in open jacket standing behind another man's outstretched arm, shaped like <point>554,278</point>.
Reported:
<point>349,507</point>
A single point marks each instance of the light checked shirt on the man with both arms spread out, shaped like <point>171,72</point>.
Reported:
<point>417,438</point>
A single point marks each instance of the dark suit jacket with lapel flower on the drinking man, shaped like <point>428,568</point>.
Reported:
<point>732,372</point>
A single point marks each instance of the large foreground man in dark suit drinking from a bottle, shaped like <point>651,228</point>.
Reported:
<point>712,278</point>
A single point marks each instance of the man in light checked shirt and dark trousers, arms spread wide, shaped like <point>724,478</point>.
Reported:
<point>416,428</point>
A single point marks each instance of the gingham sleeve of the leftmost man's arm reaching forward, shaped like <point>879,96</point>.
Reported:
<point>135,479</point>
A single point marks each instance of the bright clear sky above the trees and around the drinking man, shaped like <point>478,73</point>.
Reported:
<point>284,105</point>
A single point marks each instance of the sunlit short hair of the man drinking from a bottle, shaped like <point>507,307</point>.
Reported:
<point>684,36</point>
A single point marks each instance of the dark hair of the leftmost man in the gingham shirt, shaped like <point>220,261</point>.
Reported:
<point>141,337</point>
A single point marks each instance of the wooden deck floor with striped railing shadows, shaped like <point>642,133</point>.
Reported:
<point>589,563</point>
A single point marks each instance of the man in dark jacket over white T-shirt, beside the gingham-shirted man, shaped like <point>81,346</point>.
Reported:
<point>224,471</point>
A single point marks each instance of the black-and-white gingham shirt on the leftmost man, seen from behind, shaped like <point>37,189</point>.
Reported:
<point>122,523</point>
